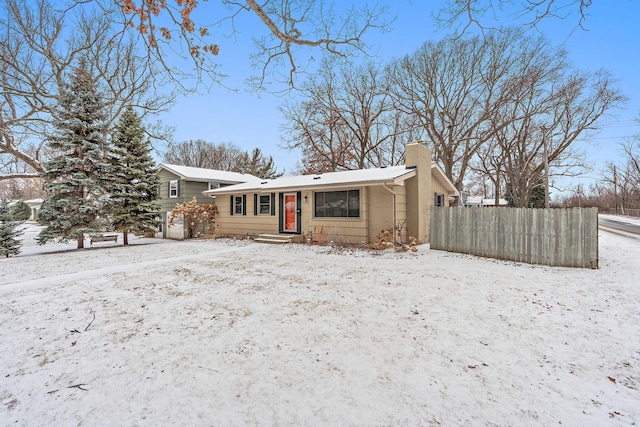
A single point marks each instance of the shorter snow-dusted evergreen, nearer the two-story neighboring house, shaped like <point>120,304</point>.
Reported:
<point>133,178</point>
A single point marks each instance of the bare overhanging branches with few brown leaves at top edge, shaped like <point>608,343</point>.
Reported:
<point>288,31</point>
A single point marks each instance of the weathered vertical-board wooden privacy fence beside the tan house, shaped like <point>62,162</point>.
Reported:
<point>558,237</point>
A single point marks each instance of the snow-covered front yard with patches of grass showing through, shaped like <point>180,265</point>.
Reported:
<point>237,333</point>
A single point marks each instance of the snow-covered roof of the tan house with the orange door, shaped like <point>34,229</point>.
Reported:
<point>396,174</point>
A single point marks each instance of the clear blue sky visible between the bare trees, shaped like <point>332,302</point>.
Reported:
<point>611,40</point>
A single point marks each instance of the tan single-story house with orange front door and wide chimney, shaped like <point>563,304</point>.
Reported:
<point>347,207</point>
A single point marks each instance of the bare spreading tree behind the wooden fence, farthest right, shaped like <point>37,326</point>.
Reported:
<point>551,115</point>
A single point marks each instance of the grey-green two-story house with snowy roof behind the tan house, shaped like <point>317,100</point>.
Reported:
<point>179,184</point>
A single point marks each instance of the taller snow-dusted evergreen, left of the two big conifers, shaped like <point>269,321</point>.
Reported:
<point>76,195</point>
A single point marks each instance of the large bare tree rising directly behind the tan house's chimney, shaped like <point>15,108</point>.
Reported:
<point>453,88</point>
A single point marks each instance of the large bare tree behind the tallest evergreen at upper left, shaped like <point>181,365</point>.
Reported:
<point>37,53</point>
